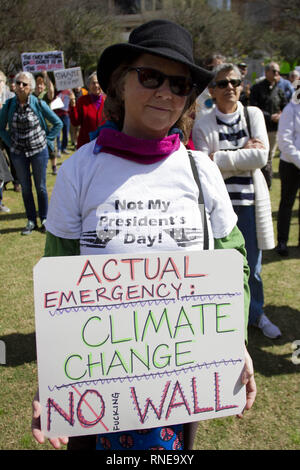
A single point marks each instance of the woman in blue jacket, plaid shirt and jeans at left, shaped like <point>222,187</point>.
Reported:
<point>24,129</point>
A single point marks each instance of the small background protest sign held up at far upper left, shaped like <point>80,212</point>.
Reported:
<point>39,61</point>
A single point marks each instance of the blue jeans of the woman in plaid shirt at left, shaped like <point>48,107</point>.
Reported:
<point>38,164</point>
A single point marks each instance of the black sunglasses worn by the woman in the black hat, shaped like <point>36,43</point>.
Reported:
<point>151,78</point>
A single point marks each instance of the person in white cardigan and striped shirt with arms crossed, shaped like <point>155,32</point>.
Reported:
<point>240,149</point>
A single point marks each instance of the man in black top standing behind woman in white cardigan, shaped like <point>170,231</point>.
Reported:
<point>270,98</point>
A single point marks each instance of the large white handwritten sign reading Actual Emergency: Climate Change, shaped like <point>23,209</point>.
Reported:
<point>133,342</point>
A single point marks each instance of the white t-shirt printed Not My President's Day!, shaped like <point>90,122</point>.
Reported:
<point>114,205</point>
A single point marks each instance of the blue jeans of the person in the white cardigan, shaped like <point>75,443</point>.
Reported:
<point>247,225</point>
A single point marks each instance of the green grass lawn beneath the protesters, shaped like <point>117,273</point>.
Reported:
<point>273,422</point>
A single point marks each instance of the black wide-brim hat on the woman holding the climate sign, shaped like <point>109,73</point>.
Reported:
<point>157,37</point>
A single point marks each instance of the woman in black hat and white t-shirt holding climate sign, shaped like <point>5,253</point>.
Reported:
<point>150,83</point>
